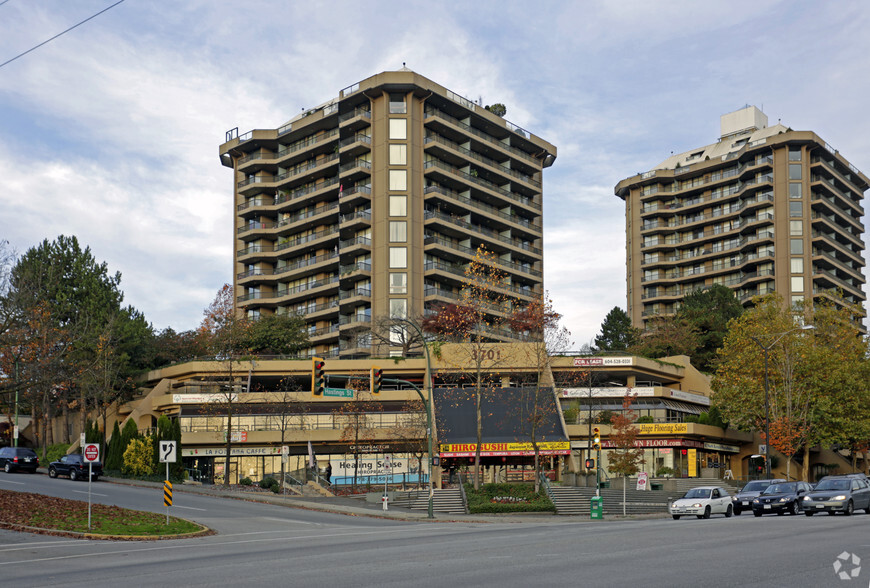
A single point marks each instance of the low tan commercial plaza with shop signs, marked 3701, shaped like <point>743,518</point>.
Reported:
<point>280,411</point>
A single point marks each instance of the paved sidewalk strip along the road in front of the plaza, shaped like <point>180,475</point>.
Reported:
<point>359,507</point>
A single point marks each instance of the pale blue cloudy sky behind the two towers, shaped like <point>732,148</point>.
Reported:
<point>111,131</point>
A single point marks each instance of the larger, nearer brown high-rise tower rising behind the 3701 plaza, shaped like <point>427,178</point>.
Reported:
<point>372,204</point>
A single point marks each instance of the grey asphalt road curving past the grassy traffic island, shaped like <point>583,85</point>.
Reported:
<point>261,544</point>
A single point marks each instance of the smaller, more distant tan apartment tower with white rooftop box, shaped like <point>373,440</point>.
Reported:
<point>763,209</point>
